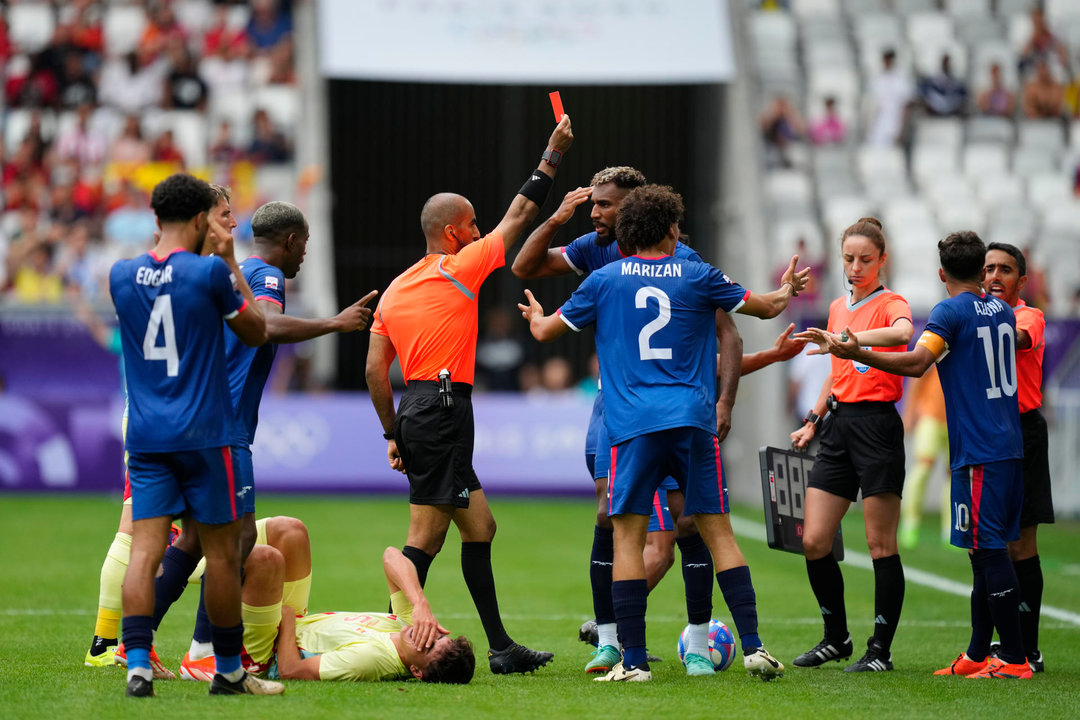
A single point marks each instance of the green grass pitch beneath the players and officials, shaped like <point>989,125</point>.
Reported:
<point>53,548</point>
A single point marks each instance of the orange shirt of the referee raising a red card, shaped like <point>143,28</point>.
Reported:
<point>430,311</point>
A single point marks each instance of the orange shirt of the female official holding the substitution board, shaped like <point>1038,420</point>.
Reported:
<point>855,383</point>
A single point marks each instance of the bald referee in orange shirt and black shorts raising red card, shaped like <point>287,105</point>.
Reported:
<point>428,319</point>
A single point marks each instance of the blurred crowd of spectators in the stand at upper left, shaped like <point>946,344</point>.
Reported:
<point>117,98</point>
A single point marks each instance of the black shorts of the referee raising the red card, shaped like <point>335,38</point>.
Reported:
<point>437,444</point>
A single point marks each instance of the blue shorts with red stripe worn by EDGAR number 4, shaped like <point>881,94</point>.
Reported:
<point>201,483</point>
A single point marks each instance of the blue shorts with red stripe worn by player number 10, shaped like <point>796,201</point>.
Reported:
<point>987,505</point>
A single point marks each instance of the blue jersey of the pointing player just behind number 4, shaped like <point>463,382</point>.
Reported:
<point>250,368</point>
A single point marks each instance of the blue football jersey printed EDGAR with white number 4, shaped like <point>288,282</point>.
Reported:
<point>170,311</point>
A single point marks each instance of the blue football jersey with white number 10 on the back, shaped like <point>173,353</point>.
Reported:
<point>978,371</point>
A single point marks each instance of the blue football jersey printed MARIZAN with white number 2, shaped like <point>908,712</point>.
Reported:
<point>656,337</point>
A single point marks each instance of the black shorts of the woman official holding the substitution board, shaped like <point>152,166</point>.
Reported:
<point>862,449</point>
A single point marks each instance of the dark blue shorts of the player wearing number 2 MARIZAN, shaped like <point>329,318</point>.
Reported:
<point>691,456</point>
